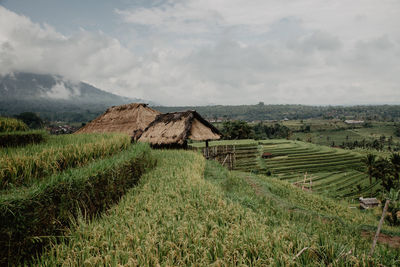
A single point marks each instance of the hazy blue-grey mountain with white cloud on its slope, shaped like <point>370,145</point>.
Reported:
<point>55,97</point>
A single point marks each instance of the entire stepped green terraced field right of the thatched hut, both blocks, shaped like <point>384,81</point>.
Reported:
<point>334,172</point>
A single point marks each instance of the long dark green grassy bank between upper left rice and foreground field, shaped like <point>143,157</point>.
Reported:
<point>46,208</point>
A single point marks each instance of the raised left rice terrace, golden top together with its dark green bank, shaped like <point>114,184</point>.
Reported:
<point>44,186</point>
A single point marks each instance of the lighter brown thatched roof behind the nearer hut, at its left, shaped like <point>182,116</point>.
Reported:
<point>122,119</point>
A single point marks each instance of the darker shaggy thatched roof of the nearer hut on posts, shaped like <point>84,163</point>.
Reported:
<point>175,128</point>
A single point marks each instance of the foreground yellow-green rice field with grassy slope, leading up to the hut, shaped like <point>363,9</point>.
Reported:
<point>189,212</point>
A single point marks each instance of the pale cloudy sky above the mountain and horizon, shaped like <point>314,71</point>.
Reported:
<point>205,52</point>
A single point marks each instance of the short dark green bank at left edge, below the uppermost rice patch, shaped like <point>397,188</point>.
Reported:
<point>13,139</point>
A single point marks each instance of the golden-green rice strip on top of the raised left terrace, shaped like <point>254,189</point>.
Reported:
<point>22,166</point>
